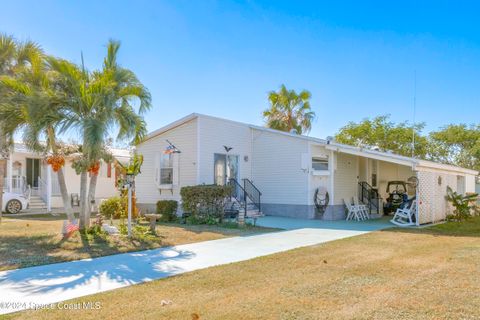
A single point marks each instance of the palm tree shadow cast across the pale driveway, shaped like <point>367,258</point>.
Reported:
<point>100,274</point>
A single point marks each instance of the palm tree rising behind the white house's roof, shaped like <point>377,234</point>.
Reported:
<point>289,111</point>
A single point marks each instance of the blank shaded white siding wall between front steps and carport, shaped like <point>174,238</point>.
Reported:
<point>277,168</point>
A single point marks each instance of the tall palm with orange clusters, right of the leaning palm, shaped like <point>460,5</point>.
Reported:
<point>101,102</point>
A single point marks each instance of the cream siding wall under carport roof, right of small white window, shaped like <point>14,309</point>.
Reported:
<point>346,172</point>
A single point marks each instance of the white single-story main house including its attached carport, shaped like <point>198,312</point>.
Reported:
<point>286,168</point>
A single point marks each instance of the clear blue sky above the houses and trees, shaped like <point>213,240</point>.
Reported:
<point>221,58</point>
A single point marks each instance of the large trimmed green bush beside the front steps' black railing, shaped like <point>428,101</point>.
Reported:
<point>205,202</point>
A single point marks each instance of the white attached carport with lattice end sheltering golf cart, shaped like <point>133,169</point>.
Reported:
<point>373,170</point>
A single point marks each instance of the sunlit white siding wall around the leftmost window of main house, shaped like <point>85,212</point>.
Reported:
<point>184,137</point>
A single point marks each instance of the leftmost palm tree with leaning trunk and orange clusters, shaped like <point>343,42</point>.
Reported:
<point>33,104</point>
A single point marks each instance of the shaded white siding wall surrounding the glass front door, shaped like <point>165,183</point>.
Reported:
<point>216,133</point>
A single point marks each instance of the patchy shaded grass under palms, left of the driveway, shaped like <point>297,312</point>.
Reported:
<point>36,240</point>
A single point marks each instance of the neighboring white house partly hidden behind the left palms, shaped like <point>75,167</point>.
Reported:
<point>27,172</point>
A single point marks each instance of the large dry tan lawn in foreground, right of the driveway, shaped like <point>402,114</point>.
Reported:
<point>429,273</point>
